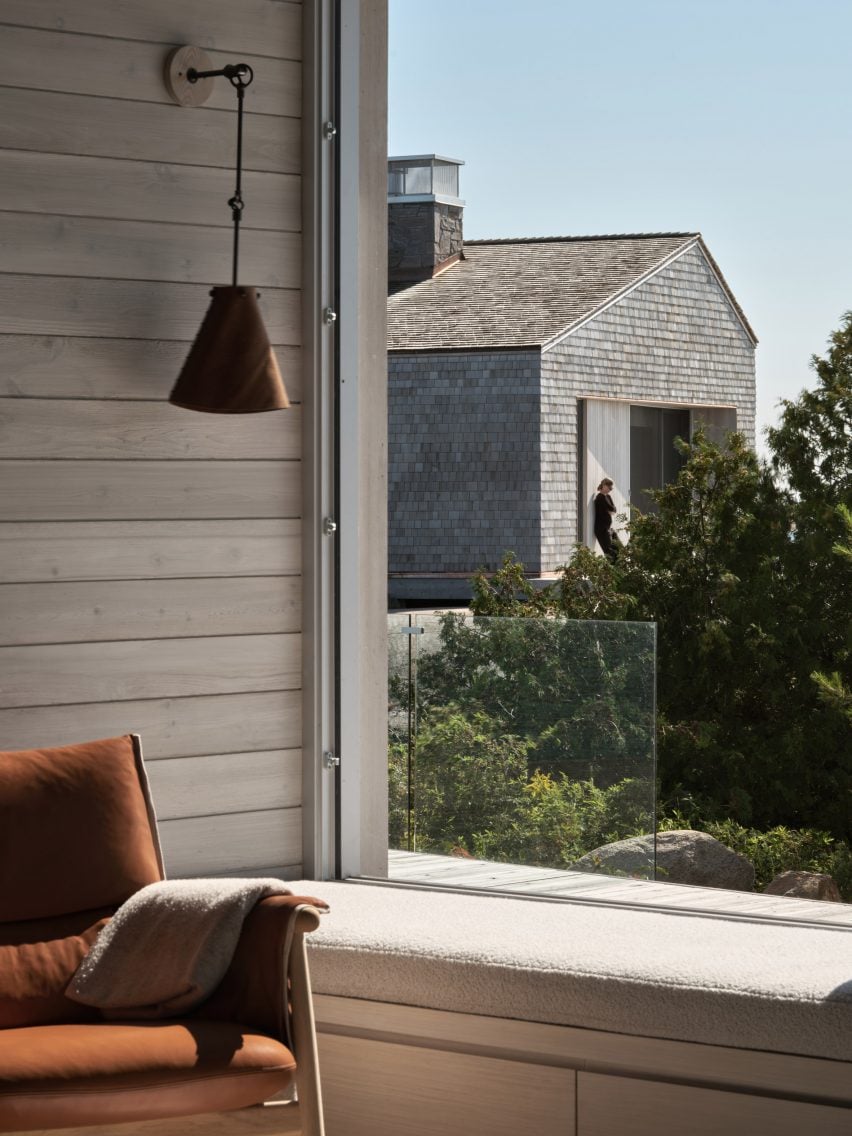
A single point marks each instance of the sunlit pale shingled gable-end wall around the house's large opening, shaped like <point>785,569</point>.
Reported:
<point>674,340</point>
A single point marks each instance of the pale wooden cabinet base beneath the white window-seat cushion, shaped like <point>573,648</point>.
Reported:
<point>395,1071</point>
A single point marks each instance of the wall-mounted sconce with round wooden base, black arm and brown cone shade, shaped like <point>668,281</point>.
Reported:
<point>231,367</point>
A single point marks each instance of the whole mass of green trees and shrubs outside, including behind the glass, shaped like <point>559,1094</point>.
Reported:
<point>534,736</point>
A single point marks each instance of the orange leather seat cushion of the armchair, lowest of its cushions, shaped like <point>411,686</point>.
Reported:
<point>114,1073</point>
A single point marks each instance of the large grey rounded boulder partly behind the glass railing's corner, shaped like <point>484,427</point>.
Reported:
<point>683,857</point>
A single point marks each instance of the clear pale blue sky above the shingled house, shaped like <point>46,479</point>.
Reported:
<point>730,118</point>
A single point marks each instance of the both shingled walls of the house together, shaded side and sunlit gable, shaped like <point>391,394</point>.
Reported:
<point>483,446</point>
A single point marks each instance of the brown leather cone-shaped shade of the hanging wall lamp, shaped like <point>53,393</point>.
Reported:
<point>231,367</point>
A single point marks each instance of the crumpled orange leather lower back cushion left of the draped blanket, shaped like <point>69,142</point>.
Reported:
<point>38,960</point>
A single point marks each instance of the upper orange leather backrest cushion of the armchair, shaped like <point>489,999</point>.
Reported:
<point>74,830</point>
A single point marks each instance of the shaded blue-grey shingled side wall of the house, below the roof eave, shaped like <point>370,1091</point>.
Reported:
<point>464,442</point>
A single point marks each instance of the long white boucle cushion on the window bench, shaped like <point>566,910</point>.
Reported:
<point>683,976</point>
